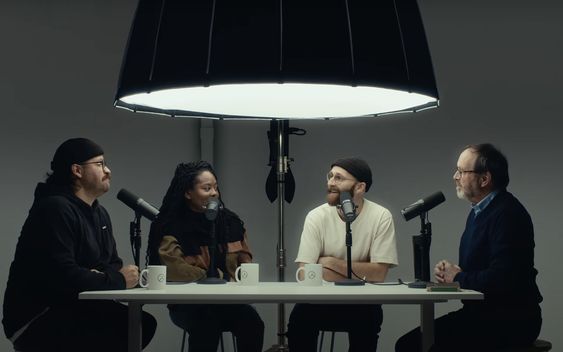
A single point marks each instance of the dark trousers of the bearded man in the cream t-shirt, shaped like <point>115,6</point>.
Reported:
<point>361,322</point>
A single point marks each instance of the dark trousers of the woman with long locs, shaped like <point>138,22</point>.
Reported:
<point>206,322</point>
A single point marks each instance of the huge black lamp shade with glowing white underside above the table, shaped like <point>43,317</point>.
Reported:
<point>277,59</point>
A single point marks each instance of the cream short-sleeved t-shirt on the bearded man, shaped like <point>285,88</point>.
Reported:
<point>373,235</point>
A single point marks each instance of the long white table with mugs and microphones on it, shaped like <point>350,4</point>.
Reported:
<point>281,292</point>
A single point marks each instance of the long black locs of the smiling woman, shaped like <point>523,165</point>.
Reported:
<point>174,203</point>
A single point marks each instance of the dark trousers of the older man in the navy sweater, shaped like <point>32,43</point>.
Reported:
<point>489,329</point>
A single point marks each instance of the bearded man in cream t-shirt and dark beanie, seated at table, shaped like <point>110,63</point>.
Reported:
<point>374,251</point>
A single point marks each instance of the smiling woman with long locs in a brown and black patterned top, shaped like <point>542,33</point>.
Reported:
<point>180,239</point>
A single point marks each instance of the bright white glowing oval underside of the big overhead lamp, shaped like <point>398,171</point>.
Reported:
<point>287,101</point>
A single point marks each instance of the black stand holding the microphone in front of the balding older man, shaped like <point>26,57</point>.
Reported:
<point>421,251</point>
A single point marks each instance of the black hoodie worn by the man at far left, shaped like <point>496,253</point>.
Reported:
<point>62,240</point>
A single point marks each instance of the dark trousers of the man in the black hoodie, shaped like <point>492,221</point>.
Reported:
<point>89,326</point>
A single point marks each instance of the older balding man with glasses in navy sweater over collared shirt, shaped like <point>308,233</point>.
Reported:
<point>496,257</point>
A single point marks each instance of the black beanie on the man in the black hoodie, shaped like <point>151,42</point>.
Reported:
<point>74,151</point>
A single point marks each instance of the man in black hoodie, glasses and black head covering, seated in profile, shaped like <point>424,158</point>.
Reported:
<point>66,247</point>
